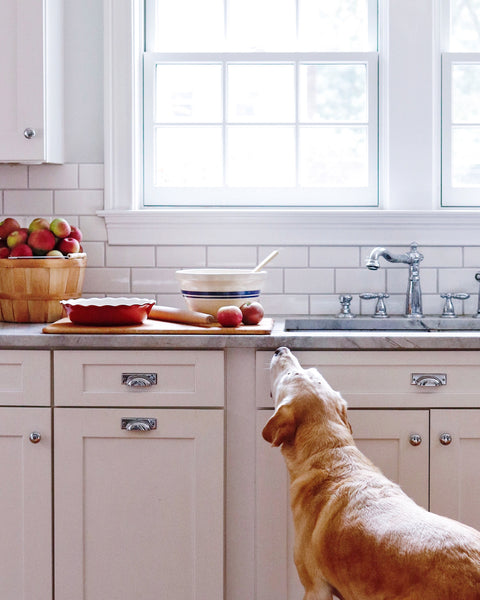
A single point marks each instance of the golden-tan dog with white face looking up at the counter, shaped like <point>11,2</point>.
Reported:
<point>357,535</point>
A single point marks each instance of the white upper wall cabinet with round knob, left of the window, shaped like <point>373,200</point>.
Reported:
<point>31,72</point>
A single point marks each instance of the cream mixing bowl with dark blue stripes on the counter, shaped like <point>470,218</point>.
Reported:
<point>206,290</point>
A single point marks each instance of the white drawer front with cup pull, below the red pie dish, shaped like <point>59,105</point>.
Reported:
<point>128,378</point>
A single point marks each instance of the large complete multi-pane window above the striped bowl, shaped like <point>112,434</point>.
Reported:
<point>261,103</point>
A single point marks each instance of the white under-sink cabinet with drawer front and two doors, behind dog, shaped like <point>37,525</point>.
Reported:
<point>431,452</point>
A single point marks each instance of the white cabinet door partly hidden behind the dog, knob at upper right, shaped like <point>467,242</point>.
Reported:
<point>384,436</point>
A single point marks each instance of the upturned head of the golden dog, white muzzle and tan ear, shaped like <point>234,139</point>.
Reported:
<point>303,397</point>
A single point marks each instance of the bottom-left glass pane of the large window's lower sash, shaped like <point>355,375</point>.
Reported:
<point>188,157</point>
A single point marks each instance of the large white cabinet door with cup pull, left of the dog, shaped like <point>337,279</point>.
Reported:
<point>138,514</point>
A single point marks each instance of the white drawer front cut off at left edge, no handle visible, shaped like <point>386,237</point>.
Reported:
<point>24,378</point>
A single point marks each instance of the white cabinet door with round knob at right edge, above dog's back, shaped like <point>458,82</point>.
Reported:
<point>455,473</point>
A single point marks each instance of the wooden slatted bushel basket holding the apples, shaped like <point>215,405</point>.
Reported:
<point>31,288</point>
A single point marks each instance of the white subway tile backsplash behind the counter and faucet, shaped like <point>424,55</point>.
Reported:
<point>302,280</point>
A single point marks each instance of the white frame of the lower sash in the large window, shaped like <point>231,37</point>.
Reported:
<point>265,196</point>
